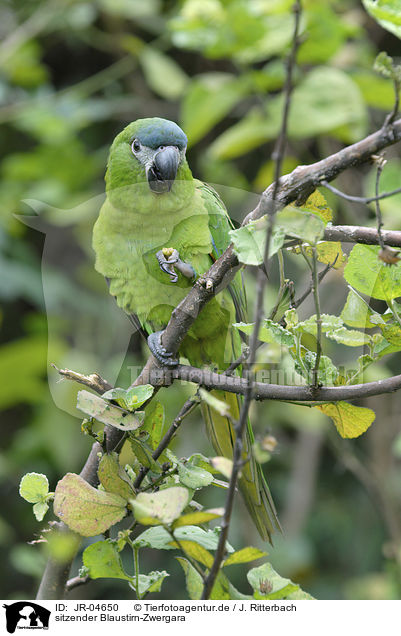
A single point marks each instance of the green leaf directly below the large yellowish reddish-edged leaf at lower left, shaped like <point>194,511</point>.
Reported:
<point>103,561</point>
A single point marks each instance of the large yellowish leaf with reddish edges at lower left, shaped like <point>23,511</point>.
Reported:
<point>85,509</point>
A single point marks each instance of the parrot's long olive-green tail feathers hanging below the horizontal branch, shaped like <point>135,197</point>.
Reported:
<point>252,483</point>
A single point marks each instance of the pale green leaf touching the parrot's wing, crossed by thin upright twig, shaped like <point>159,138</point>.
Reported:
<point>249,241</point>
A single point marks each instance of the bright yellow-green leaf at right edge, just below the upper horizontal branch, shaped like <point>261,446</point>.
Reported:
<point>372,277</point>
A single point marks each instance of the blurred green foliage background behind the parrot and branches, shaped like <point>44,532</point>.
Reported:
<point>72,74</point>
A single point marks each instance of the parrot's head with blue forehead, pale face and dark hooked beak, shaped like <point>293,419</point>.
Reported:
<point>148,150</point>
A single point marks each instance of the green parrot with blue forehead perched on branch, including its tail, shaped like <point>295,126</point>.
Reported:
<point>157,231</point>
